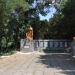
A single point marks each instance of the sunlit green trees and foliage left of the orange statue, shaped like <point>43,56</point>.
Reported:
<point>11,14</point>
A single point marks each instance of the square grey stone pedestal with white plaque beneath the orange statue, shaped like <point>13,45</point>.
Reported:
<point>27,46</point>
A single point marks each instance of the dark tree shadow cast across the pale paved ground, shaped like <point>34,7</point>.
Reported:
<point>65,64</point>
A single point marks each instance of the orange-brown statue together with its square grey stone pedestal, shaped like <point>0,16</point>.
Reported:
<point>27,43</point>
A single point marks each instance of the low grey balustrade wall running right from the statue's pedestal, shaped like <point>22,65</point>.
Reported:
<point>51,44</point>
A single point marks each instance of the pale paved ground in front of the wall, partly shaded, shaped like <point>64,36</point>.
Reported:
<point>37,64</point>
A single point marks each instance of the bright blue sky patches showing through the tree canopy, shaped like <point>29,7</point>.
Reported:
<point>50,12</point>
